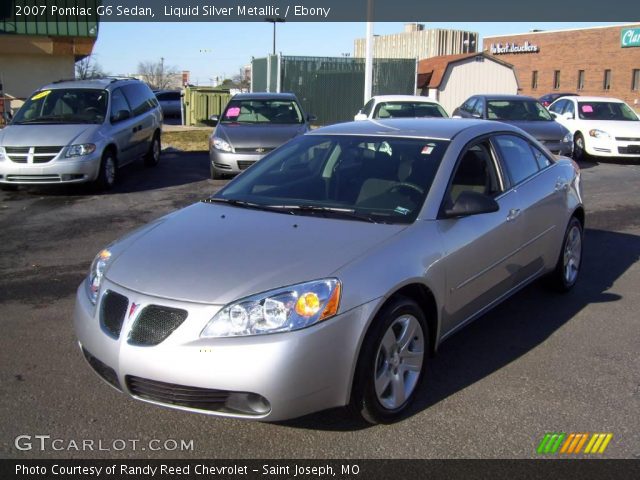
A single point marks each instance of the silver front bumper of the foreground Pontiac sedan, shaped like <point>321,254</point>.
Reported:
<point>292,373</point>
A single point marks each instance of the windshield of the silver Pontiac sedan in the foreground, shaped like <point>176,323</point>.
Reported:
<point>374,179</point>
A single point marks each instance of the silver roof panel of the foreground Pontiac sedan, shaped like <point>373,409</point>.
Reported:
<point>436,128</point>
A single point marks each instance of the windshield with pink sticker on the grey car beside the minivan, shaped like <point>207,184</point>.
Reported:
<point>262,111</point>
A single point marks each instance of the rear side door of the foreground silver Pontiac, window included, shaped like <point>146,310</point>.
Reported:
<point>542,191</point>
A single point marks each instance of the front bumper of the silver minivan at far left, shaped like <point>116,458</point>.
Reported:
<point>56,171</point>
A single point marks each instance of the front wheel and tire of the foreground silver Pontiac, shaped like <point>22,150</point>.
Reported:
<point>392,362</point>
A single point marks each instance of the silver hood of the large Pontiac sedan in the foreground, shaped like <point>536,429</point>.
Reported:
<point>213,253</point>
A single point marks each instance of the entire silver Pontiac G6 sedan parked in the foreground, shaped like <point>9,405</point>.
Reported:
<point>327,273</point>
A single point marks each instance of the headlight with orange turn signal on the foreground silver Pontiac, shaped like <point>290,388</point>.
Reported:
<point>281,310</point>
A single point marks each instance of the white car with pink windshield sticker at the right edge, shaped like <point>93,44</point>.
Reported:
<point>601,126</point>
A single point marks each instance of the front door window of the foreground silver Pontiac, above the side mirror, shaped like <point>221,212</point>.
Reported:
<point>475,172</point>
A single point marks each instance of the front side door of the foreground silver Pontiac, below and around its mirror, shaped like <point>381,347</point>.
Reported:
<point>482,250</point>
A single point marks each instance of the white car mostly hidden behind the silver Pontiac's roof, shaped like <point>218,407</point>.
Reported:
<point>400,106</point>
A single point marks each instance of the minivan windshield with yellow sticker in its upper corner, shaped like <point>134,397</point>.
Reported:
<point>69,105</point>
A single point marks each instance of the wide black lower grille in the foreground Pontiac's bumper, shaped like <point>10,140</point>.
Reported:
<point>192,397</point>
